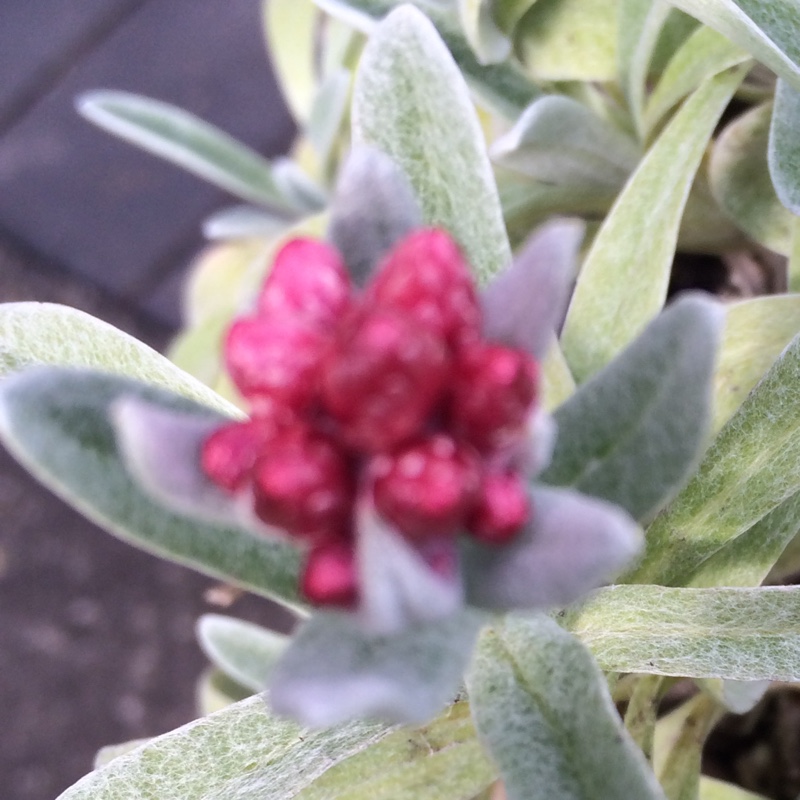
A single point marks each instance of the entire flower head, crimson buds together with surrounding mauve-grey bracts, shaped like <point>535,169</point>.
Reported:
<point>395,425</point>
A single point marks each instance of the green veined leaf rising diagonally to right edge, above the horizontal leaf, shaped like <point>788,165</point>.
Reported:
<point>752,467</point>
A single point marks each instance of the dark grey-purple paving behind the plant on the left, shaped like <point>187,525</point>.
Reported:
<point>96,638</point>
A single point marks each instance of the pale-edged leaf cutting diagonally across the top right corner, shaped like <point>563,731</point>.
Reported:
<point>769,31</point>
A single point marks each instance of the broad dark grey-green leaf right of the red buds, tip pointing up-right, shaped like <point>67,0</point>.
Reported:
<point>633,433</point>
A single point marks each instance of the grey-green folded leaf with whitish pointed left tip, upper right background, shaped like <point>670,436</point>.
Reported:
<point>558,140</point>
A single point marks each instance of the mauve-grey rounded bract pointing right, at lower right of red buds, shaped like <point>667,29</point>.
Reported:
<point>572,545</point>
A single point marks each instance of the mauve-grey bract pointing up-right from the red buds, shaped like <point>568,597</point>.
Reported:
<point>523,305</point>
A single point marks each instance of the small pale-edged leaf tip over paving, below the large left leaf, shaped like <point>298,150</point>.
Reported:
<point>242,650</point>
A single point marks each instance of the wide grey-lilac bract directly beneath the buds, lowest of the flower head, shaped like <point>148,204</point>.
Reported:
<point>335,671</point>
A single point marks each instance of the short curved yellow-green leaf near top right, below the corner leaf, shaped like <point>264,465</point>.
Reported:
<point>703,54</point>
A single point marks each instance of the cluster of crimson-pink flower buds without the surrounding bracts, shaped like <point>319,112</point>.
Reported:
<point>389,391</point>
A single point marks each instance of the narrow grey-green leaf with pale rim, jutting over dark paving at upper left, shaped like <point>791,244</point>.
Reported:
<point>189,142</point>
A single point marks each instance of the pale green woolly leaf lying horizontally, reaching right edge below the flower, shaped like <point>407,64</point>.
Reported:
<point>737,634</point>
